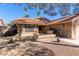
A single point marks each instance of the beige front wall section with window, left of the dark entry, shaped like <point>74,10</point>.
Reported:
<point>26,31</point>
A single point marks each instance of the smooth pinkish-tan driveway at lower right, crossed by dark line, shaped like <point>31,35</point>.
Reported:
<point>61,48</point>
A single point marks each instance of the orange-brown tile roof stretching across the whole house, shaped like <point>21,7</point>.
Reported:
<point>37,20</point>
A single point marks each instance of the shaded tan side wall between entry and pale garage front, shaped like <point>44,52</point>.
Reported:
<point>64,29</point>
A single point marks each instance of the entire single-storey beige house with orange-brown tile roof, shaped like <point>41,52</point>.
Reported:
<point>65,27</point>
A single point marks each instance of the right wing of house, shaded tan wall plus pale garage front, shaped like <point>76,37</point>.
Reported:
<point>68,28</point>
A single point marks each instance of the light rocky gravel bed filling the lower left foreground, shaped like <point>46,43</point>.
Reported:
<point>24,48</point>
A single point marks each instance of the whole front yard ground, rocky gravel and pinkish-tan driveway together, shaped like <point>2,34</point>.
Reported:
<point>23,47</point>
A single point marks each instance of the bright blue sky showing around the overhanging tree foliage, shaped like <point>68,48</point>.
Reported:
<point>10,12</point>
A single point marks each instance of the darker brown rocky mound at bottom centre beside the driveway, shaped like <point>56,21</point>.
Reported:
<point>40,51</point>
